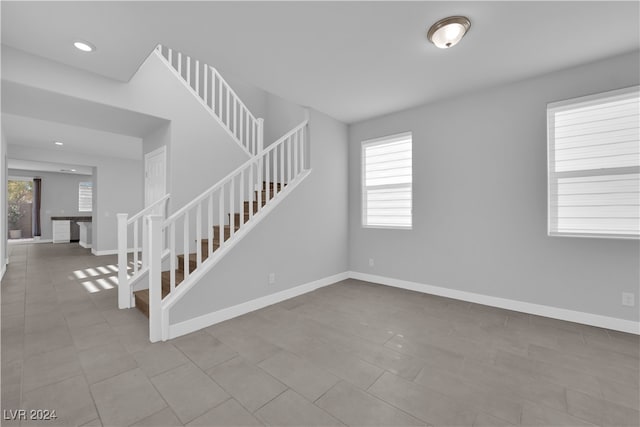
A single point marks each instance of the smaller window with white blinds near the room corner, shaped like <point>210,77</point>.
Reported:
<point>386,182</point>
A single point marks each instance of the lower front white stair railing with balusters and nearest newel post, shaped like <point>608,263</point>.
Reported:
<point>267,177</point>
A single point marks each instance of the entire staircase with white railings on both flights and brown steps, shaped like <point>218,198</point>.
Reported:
<point>172,254</point>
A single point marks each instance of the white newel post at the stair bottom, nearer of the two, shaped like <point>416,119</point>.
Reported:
<point>154,234</point>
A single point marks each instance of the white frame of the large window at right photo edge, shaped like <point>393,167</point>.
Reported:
<point>553,177</point>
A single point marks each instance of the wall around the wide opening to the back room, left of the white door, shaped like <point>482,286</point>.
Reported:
<point>117,188</point>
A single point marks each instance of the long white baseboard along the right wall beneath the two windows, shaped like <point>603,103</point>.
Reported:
<point>613,323</point>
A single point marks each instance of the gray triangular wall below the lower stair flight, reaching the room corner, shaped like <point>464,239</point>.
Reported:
<point>302,240</point>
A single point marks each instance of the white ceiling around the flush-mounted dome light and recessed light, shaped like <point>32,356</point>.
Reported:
<point>351,60</point>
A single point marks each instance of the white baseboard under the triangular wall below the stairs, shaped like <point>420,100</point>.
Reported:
<point>191,325</point>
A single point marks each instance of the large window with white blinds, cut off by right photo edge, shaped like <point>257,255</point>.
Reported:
<point>594,165</point>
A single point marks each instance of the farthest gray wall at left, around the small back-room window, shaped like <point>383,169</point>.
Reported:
<point>59,196</point>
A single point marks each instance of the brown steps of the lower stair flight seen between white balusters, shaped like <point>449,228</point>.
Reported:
<point>142,296</point>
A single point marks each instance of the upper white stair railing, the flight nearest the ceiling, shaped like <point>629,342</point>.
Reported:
<point>217,96</point>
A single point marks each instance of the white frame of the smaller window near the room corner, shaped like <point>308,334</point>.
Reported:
<point>363,187</point>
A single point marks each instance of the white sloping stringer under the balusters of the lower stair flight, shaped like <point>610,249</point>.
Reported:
<point>208,264</point>
